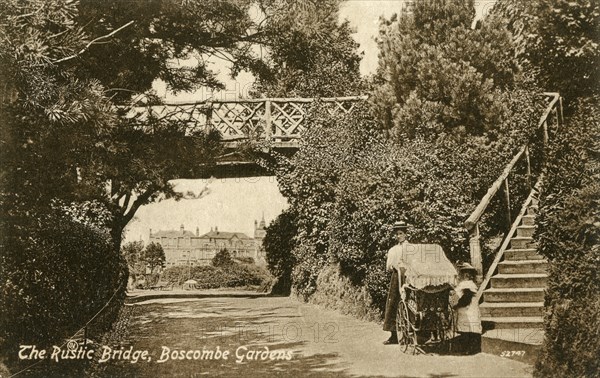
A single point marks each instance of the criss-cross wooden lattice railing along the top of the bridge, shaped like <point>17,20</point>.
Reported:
<point>279,120</point>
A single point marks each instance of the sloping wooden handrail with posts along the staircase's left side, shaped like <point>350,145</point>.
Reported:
<point>472,223</point>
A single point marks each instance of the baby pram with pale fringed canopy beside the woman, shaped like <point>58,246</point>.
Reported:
<point>424,312</point>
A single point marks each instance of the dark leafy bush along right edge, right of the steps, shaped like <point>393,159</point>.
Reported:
<point>569,234</point>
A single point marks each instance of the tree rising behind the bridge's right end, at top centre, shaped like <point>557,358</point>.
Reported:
<point>312,54</point>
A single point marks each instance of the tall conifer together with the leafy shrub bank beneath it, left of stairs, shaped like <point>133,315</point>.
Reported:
<point>447,94</point>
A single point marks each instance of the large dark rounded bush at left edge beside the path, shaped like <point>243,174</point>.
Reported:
<point>57,273</point>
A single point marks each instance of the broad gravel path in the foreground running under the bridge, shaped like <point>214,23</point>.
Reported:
<point>274,336</point>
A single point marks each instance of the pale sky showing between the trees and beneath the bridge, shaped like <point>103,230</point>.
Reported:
<point>234,204</point>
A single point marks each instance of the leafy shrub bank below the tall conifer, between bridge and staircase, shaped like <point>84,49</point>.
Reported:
<point>349,183</point>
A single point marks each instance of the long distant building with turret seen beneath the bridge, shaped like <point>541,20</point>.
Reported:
<point>186,248</point>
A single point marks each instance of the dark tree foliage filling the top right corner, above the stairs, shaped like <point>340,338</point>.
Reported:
<point>559,39</point>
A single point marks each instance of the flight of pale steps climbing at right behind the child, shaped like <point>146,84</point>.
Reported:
<point>513,304</point>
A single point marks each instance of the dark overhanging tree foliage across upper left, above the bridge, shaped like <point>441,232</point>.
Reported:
<point>68,64</point>
